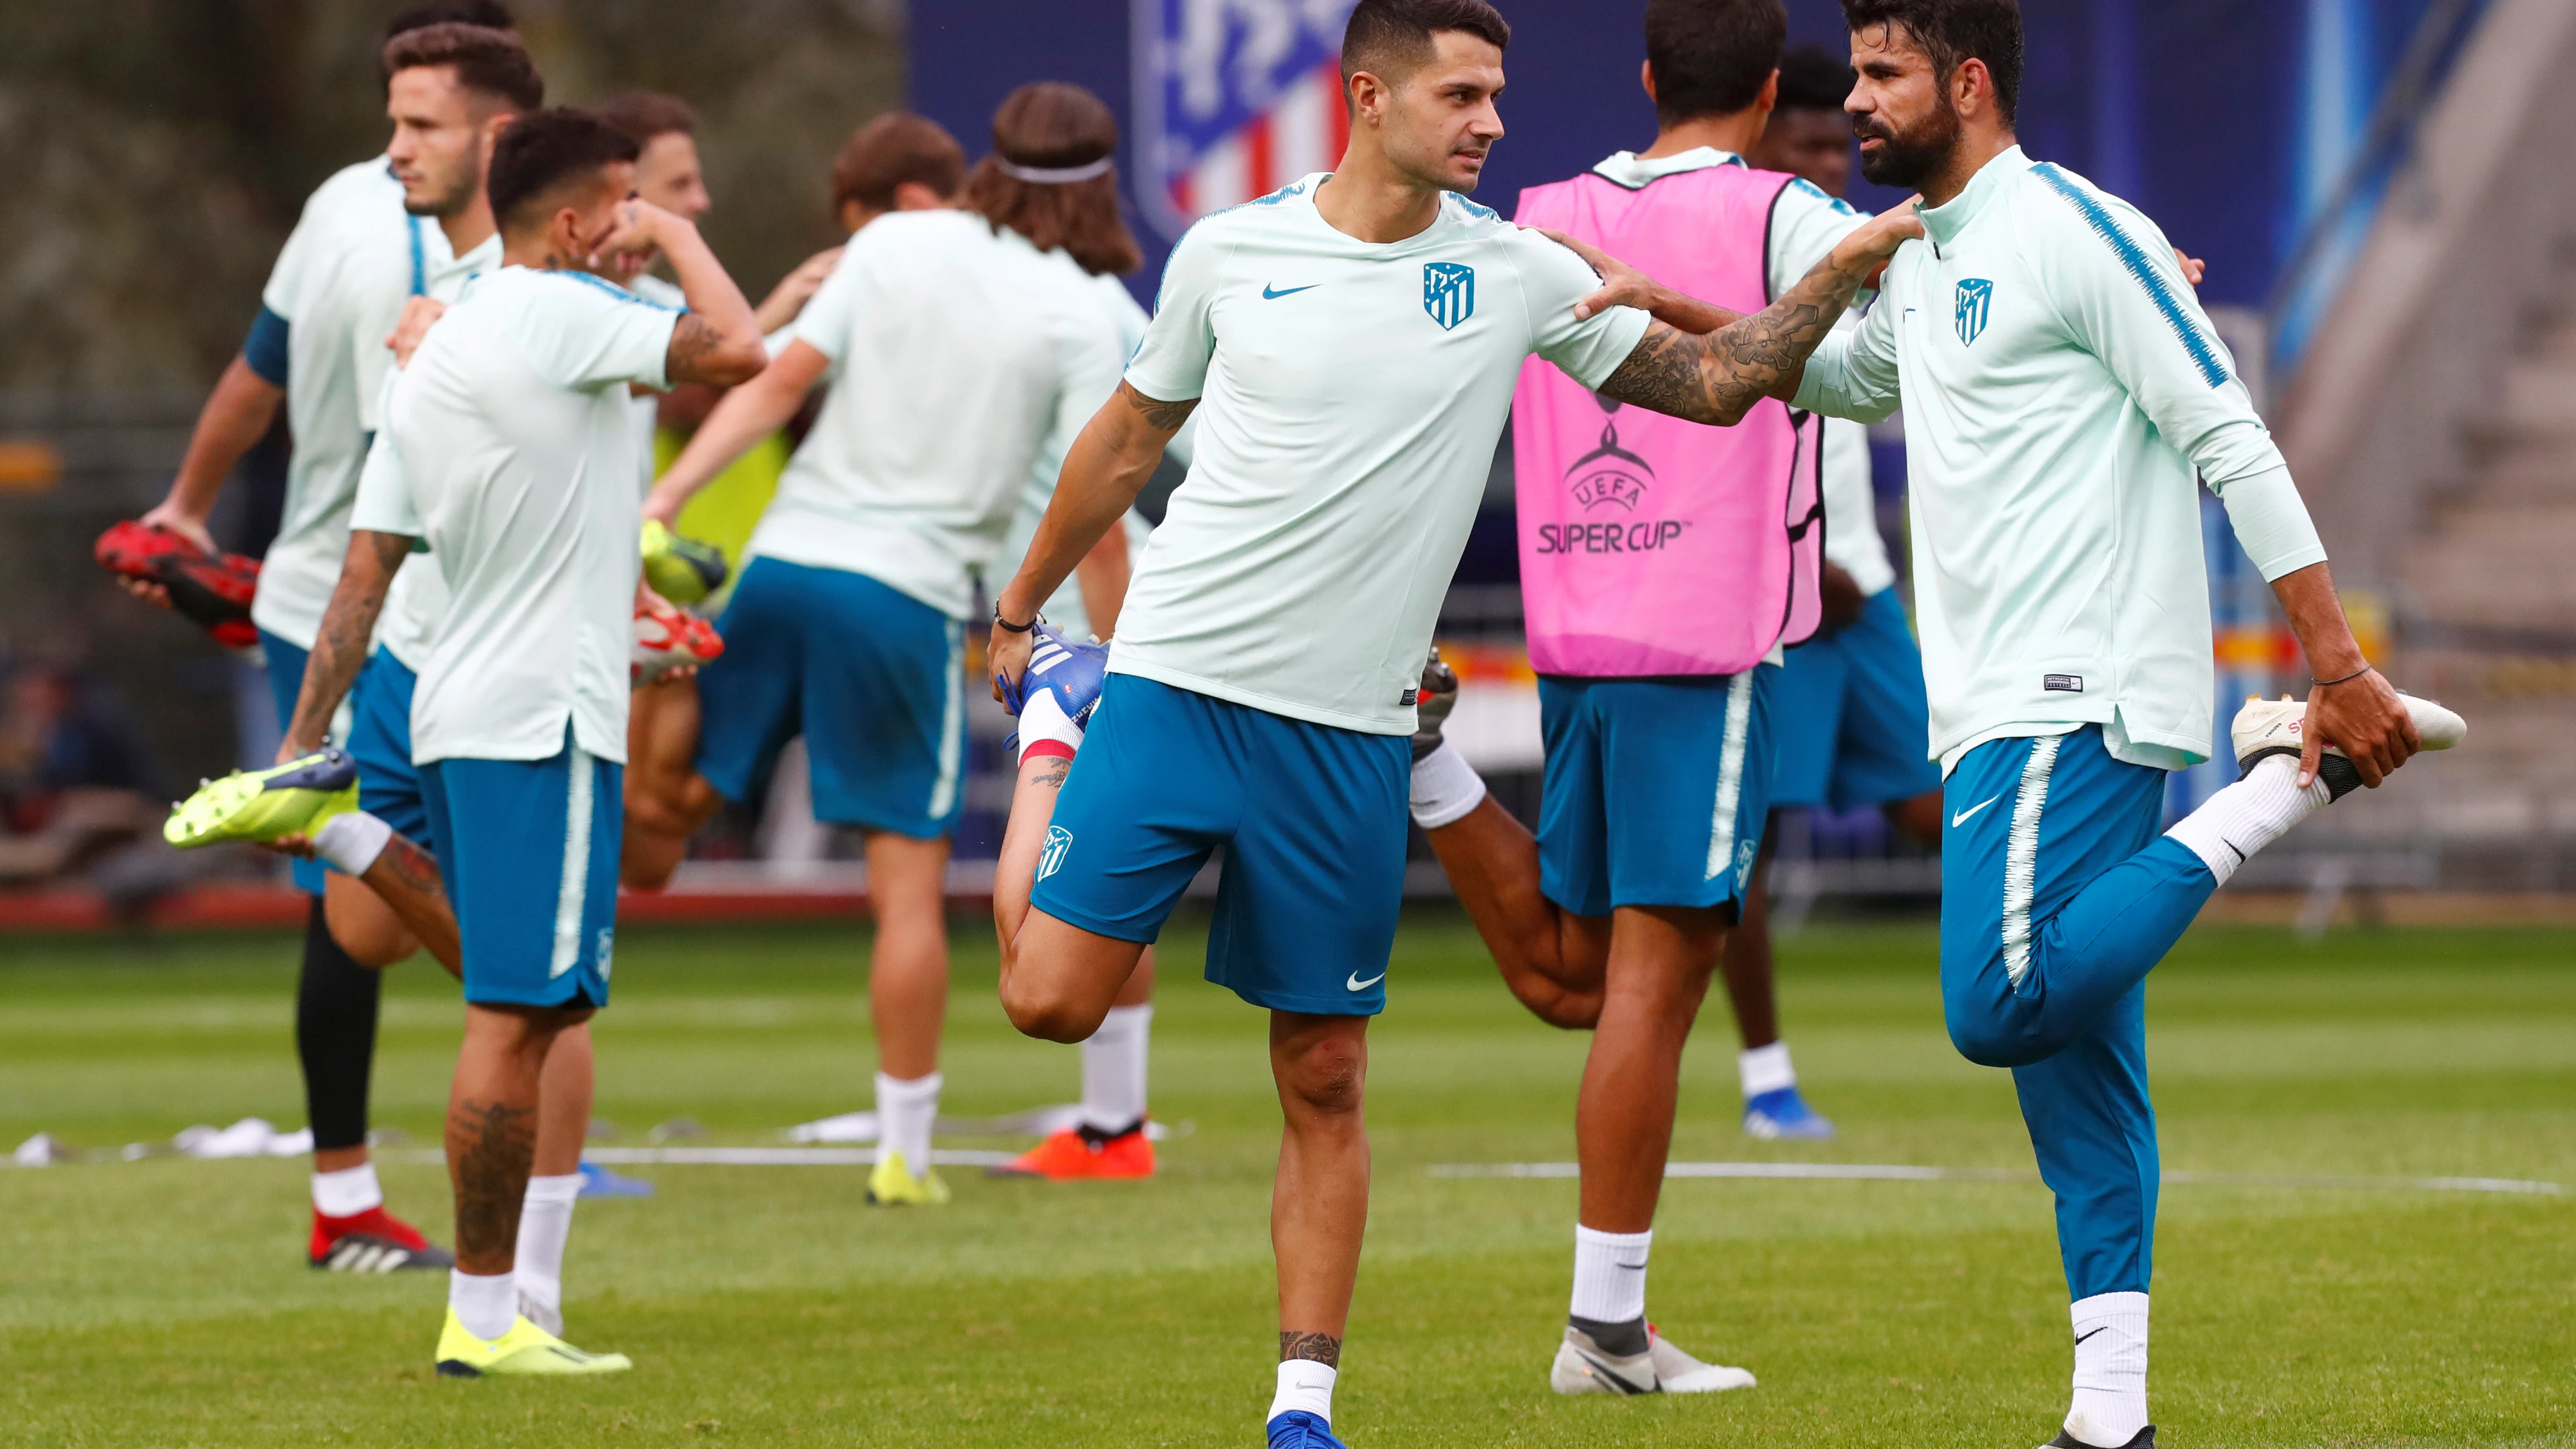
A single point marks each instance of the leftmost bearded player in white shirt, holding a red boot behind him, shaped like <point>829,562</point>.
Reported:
<point>370,238</point>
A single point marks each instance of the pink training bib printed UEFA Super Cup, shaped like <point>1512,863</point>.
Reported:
<point>1650,544</point>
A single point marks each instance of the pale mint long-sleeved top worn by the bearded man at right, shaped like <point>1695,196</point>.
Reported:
<point>2062,387</point>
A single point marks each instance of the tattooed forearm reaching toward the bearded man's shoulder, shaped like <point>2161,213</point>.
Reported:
<point>1725,374</point>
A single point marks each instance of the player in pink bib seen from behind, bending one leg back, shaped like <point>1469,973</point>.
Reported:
<point>1665,568</point>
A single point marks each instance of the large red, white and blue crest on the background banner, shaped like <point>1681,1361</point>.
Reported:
<point>1235,99</point>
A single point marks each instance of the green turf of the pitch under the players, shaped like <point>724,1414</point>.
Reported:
<point>164,1301</point>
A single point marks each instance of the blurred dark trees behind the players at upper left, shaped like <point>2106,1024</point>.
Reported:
<point>158,151</point>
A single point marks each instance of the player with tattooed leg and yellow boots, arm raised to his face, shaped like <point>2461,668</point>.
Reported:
<point>506,452</point>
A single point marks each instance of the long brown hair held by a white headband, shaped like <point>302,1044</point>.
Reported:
<point>1055,125</point>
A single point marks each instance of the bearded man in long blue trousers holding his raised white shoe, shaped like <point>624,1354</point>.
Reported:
<point>2062,392</point>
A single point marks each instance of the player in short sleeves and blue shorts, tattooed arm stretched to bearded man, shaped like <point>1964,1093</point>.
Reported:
<point>1261,691</point>
